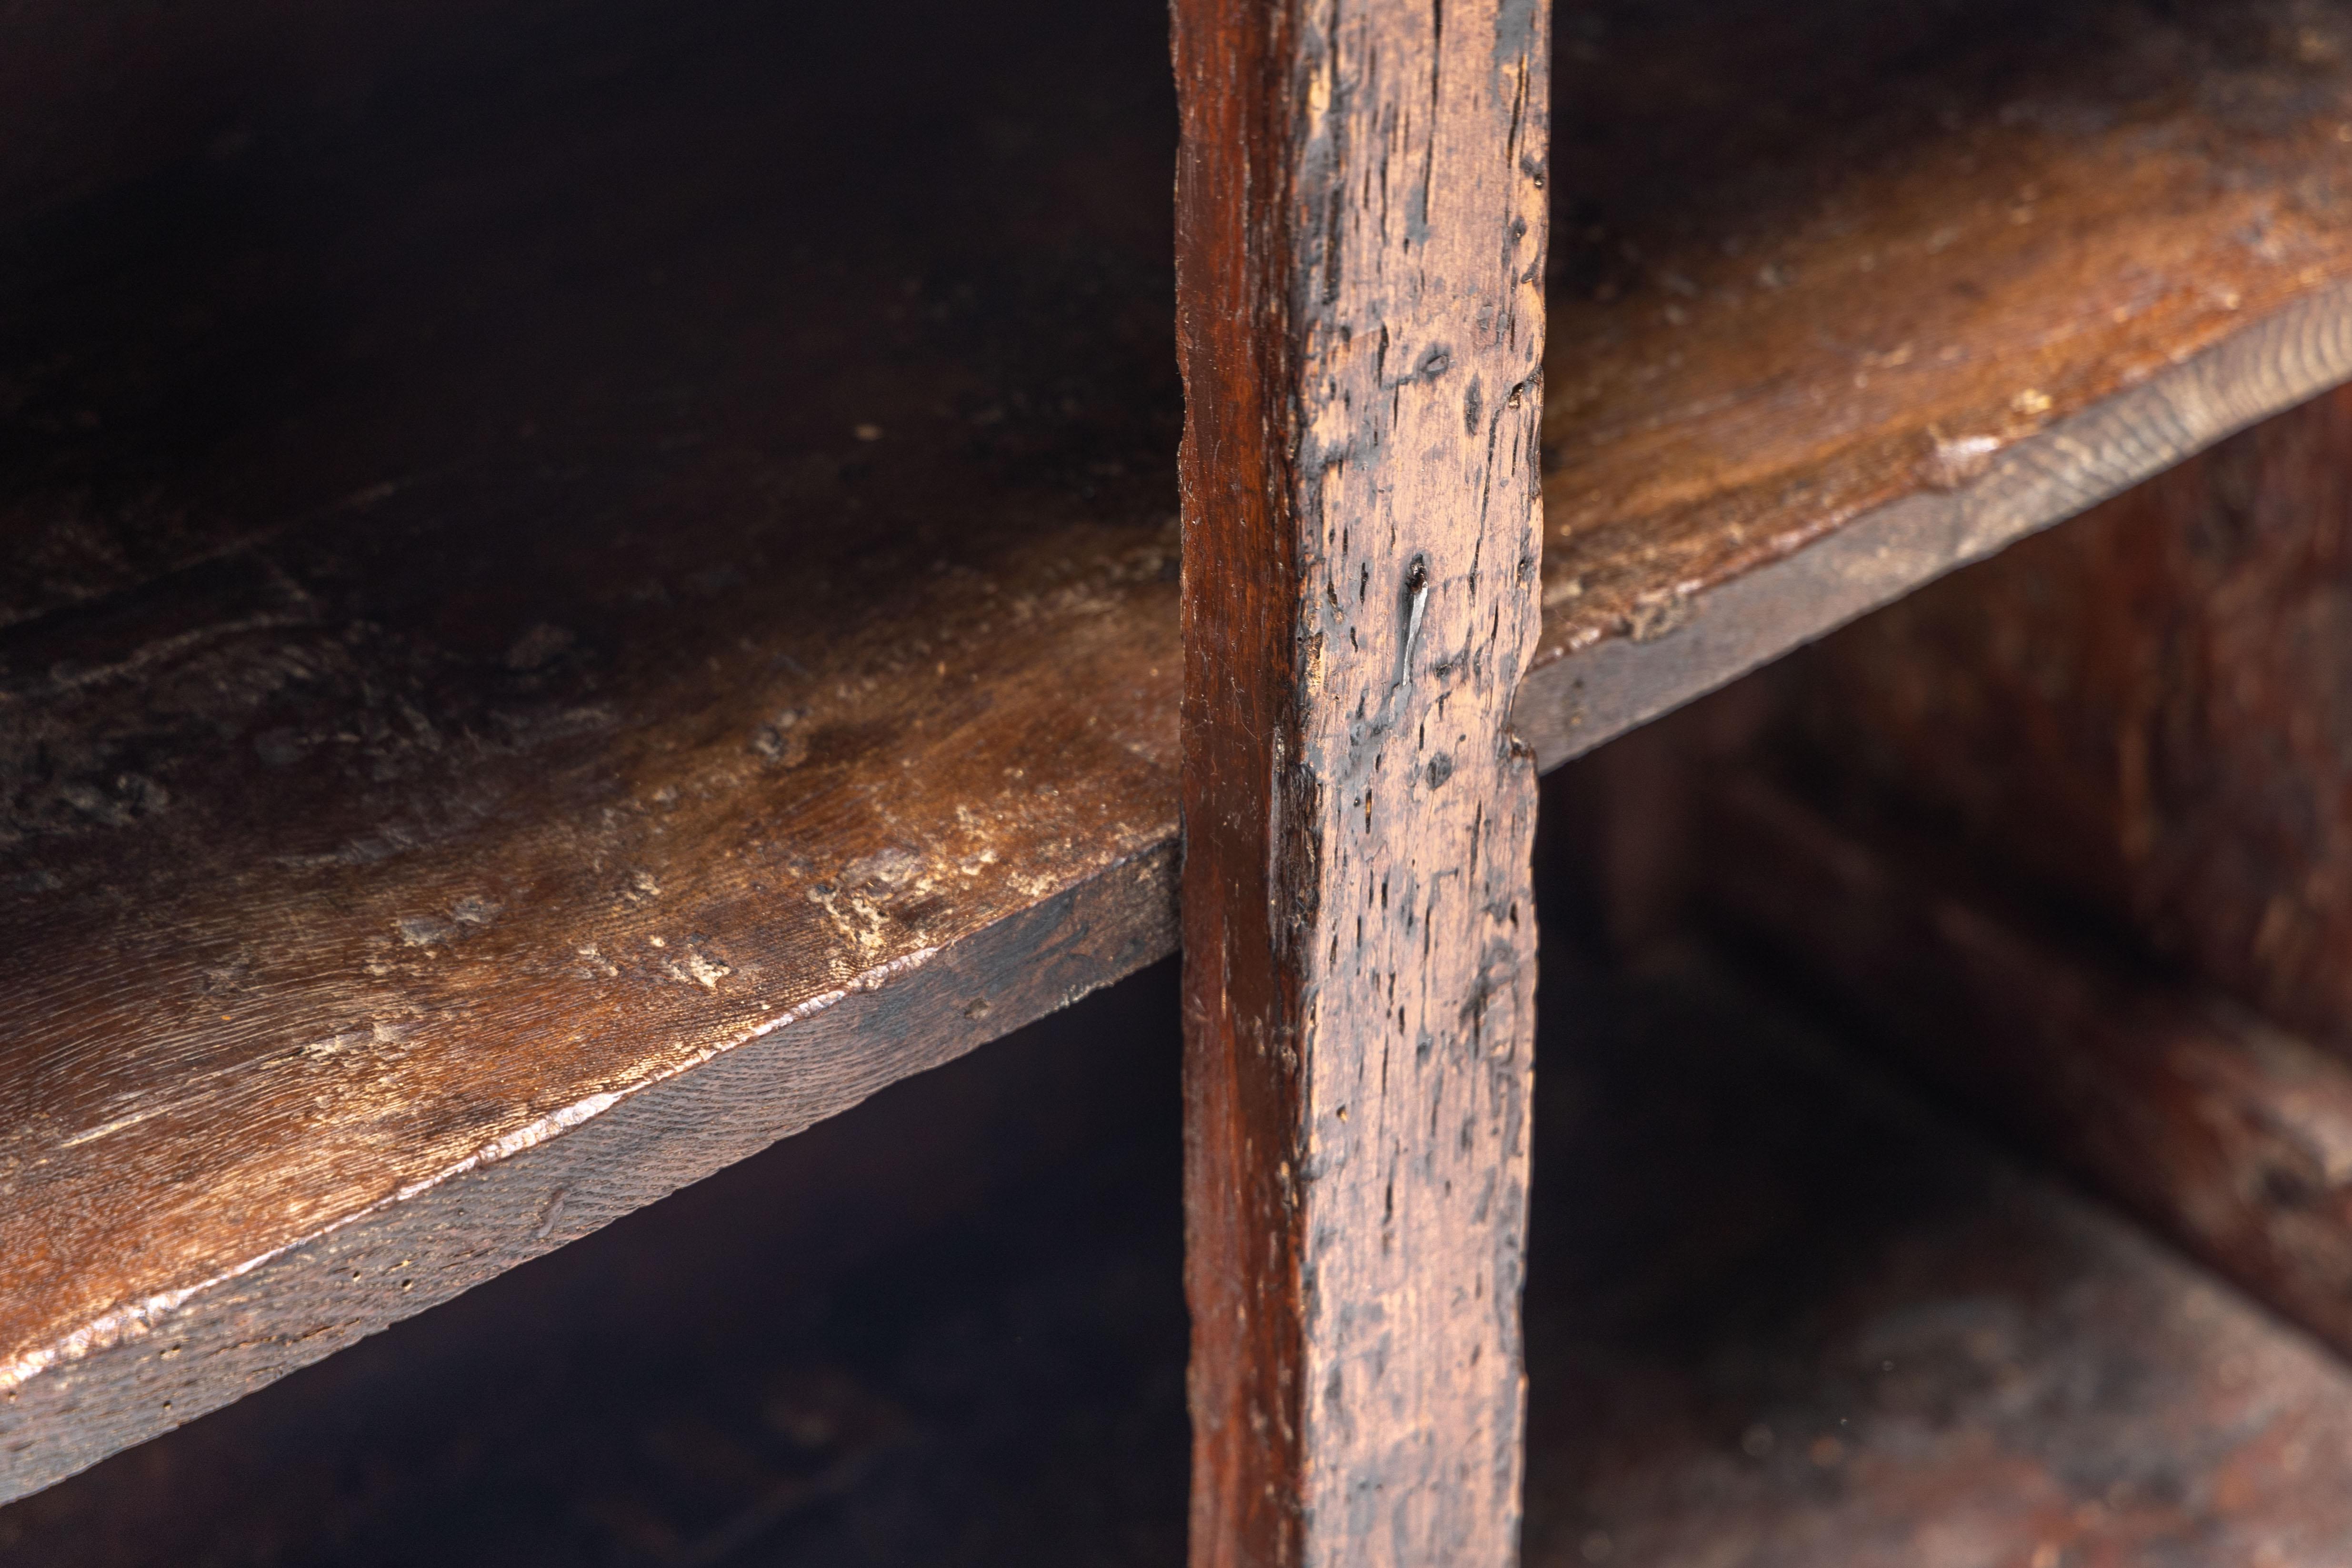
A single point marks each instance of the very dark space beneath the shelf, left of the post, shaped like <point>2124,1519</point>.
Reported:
<point>944,1327</point>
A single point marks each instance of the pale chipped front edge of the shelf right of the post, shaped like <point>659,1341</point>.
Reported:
<point>1577,702</point>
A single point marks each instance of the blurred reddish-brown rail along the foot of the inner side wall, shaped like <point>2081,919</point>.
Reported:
<point>2221,1130</point>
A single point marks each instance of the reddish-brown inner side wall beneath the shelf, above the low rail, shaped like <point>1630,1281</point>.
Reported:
<point>2149,711</point>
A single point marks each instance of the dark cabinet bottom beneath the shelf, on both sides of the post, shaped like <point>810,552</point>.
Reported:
<point>1713,1304</point>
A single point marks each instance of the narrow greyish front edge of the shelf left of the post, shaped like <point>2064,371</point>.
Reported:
<point>168,1360</point>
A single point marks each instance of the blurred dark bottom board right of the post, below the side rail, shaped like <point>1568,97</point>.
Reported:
<point>1786,1318</point>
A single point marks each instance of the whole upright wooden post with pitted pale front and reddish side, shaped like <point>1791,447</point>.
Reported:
<point>1361,319</point>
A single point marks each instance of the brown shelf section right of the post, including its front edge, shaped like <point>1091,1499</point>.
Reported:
<point>1857,293</point>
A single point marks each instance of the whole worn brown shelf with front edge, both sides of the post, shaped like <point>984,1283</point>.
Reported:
<point>570,612</point>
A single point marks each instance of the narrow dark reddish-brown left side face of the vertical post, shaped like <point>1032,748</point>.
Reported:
<point>1234,340</point>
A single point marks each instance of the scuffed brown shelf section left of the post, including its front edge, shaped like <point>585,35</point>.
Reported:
<point>521,678</point>
